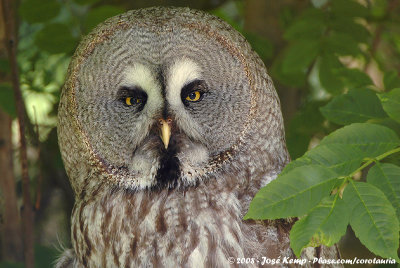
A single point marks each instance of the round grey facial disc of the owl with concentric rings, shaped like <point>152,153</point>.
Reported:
<point>163,109</point>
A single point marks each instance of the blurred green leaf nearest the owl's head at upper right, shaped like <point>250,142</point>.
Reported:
<point>299,55</point>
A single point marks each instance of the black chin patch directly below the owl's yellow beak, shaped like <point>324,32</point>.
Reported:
<point>169,171</point>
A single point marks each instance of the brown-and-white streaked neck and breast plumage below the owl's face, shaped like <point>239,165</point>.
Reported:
<point>197,225</point>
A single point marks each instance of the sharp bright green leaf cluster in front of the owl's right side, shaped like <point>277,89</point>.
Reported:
<point>312,185</point>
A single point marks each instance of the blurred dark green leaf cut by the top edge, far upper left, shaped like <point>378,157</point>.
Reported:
<point>34,11</point>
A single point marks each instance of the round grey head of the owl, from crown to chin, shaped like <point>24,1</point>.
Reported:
<point>167,97</point>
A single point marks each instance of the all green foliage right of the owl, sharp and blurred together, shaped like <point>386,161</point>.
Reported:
<point>332,185</point>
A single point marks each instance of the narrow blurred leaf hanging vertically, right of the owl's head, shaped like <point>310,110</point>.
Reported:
<point>327,76</point>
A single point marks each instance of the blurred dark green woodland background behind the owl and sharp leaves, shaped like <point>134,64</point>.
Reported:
<point>315,50</point>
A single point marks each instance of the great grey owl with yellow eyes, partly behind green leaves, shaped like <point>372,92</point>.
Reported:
<point>168,126</point>
